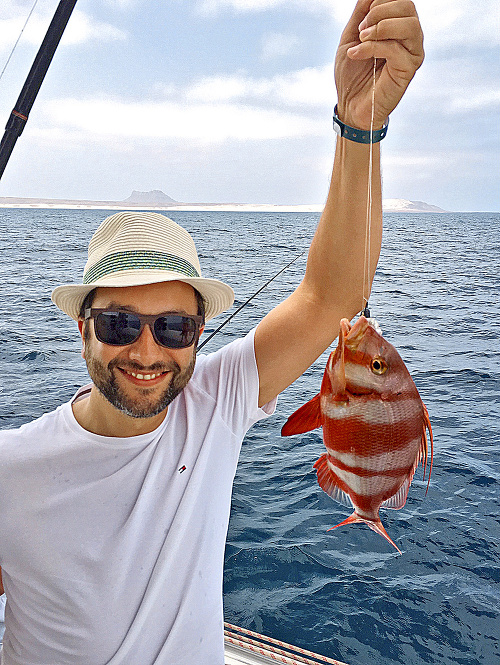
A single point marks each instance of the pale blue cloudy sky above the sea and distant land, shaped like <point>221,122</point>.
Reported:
<point>223,101</point>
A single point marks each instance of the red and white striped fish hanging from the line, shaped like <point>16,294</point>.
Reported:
<point>374,425</point>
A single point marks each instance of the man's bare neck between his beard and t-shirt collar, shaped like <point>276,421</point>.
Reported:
<point>95,414</point>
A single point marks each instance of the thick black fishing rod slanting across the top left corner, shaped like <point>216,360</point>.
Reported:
<point>19,115</point>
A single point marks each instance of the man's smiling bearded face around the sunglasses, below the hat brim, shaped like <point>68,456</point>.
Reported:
<point>142,378</point>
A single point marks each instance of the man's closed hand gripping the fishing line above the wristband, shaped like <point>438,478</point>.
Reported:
<point>390,31</point>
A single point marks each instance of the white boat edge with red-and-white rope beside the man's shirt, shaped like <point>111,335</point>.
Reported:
<point>243,646</point>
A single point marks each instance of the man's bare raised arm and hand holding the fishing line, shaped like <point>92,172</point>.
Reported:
<point>290,338</point>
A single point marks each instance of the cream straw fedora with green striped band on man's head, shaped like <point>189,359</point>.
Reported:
<point>136,248</point>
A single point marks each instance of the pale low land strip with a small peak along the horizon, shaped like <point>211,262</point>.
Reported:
<point>158,200</point>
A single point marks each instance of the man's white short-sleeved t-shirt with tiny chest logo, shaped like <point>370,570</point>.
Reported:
<point>112,549</point>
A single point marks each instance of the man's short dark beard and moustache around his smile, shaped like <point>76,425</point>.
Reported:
<point>105,381</point>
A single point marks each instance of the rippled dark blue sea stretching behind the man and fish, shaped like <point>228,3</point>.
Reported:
<point>346,593</point>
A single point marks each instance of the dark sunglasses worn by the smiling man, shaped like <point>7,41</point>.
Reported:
<point>118,327</point>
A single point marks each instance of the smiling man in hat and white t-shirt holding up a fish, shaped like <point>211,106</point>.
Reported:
<point>114,508</point>
